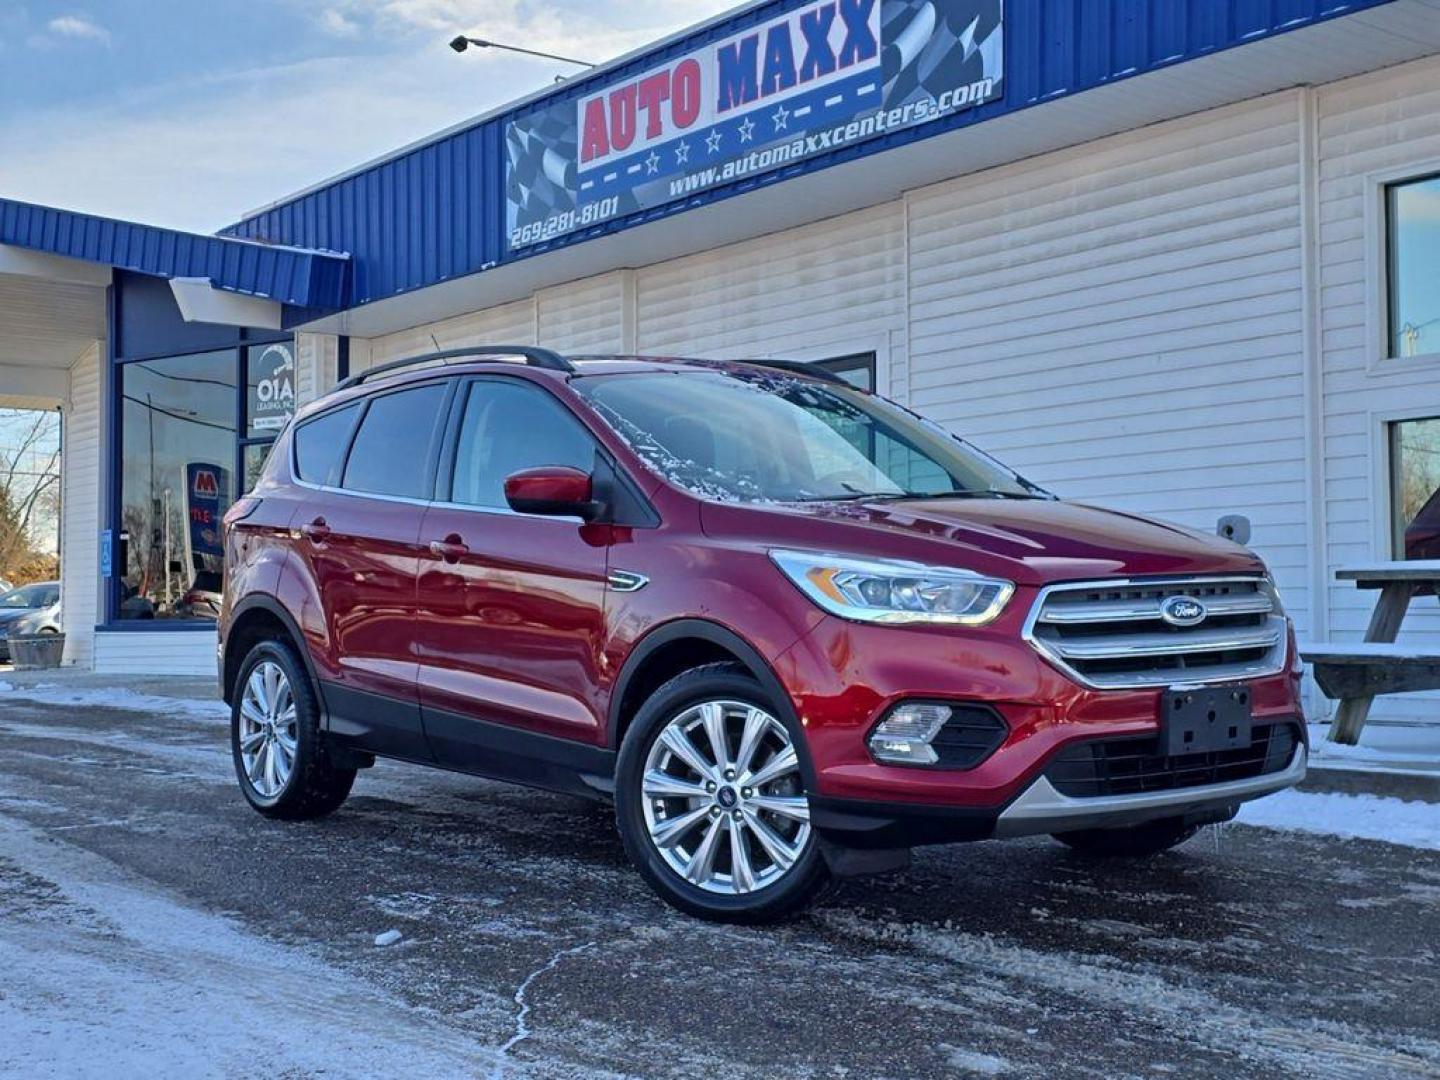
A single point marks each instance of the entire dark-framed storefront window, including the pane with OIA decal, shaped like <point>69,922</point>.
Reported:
<point>195,433</point>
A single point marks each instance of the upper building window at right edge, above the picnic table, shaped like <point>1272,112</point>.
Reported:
<point>1413,241</point>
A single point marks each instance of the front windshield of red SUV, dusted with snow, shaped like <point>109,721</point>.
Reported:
<point>771,438</point>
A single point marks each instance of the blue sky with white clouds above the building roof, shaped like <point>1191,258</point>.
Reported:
<point>192,113</point>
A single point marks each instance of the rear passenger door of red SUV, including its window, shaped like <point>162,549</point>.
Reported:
<point>359,538</point>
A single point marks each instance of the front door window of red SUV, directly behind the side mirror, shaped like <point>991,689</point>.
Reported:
<point>508,428</point>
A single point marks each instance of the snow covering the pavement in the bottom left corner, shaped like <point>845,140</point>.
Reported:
<point>106,978</point>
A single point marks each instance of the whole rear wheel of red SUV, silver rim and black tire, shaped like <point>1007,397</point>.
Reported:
<point>280,752</point>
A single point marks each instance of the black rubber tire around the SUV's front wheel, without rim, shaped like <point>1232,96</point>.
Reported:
<point>798,888</point>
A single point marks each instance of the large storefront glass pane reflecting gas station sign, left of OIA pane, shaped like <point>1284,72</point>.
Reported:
<point>176,482</point>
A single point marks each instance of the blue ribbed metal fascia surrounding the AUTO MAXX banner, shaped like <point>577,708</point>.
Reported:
<point>438,211</point>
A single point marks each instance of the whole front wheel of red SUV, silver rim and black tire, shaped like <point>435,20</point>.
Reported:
<point>712,804</point>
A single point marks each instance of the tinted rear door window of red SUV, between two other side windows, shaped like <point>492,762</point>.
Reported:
<point>388,457</point>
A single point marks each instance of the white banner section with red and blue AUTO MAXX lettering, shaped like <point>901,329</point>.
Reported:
<point>798,54</point>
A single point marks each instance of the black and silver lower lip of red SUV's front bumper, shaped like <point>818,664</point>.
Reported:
<point>1039,810</point>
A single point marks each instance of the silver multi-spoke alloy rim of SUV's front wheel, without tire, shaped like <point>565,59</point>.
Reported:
<point>724,798</point>
